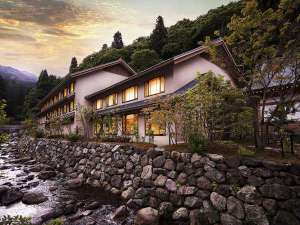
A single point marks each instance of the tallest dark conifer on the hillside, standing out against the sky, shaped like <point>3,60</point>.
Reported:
<point>158,37</point>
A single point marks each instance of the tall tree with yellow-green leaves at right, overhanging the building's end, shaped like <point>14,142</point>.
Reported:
<point>266,44</point>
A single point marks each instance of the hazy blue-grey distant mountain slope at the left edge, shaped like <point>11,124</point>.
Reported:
<point>11,74</point>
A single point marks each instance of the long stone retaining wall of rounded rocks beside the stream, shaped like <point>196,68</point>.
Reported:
<point>182,186</point>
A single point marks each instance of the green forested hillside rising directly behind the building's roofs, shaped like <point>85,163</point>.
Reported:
<point>165,42</point>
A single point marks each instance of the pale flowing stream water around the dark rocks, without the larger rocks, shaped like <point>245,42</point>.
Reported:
<point>18,175</point>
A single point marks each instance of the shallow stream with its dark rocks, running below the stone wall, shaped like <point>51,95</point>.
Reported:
<point>36,190</point>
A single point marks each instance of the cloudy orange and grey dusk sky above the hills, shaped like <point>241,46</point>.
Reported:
<point>38,34</point>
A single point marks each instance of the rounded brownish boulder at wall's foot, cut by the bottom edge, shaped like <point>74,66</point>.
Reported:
<point>147,216</point>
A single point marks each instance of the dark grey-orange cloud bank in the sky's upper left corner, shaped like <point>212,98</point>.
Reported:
<point>50,12</point>
